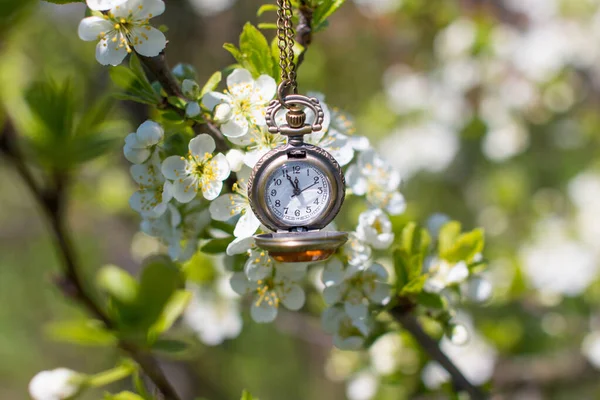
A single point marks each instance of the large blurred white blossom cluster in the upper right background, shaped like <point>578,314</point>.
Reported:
<point>519,78</point>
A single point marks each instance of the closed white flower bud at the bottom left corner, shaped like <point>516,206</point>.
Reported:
<point>57,384</point>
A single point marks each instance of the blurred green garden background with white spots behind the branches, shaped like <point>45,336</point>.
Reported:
<point>489,109</point>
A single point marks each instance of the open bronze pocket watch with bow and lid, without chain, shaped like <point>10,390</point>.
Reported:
<point>297,189</point>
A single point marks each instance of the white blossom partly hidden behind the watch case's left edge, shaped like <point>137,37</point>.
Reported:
<point>229,205</point>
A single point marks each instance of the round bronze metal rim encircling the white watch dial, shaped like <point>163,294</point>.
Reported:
<point>274,159</point>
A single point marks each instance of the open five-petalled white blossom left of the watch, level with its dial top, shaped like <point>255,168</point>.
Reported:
<point>199,172</point>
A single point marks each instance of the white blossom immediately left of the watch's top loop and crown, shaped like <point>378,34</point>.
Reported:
<point>244,102</point>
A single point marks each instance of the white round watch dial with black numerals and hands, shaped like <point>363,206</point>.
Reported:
<point>297,192</point>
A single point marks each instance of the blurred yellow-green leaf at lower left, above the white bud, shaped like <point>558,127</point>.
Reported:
<point>83,332</point>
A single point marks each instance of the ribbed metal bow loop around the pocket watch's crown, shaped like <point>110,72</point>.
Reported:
<point>290,101</point>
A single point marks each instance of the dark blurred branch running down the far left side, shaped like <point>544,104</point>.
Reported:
<point>52,203</point>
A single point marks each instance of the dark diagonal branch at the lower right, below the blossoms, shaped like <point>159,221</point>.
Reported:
<point>431,347</point>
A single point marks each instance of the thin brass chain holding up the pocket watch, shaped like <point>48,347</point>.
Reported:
<point>285,41</point>
